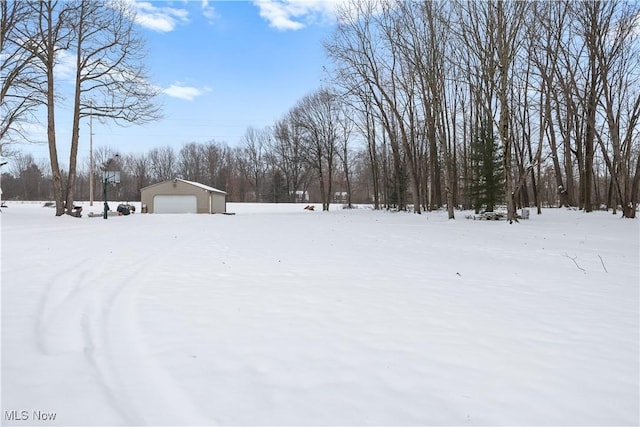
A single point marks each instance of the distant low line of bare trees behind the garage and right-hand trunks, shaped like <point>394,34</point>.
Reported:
<point>267,167</point>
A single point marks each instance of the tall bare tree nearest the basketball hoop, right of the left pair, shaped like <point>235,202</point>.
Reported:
<point>110,79</point>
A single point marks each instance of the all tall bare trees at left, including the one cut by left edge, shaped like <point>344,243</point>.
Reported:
<point>104,56</point>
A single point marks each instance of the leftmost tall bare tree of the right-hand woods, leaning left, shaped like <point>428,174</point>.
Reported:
<point>365,65</point>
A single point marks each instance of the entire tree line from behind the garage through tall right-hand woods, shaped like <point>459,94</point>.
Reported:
<point>440,105</point>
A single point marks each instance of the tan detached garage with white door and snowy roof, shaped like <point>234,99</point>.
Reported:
<point>182,196</point>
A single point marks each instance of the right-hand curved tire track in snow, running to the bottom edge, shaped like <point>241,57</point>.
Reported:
<point>144,392</point>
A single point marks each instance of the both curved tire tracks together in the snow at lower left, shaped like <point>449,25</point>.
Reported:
<point>91,310</point>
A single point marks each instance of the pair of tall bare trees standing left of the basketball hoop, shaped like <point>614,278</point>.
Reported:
<point>110,81</point>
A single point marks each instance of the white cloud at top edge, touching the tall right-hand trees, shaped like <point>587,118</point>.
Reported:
<point>296,14</point>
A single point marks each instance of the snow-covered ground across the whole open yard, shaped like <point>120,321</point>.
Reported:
<point>281,316</point>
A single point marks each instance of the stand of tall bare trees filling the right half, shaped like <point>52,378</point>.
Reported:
<point>552,82</point>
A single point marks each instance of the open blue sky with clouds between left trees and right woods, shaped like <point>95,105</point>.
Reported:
<point>223,66</point>
